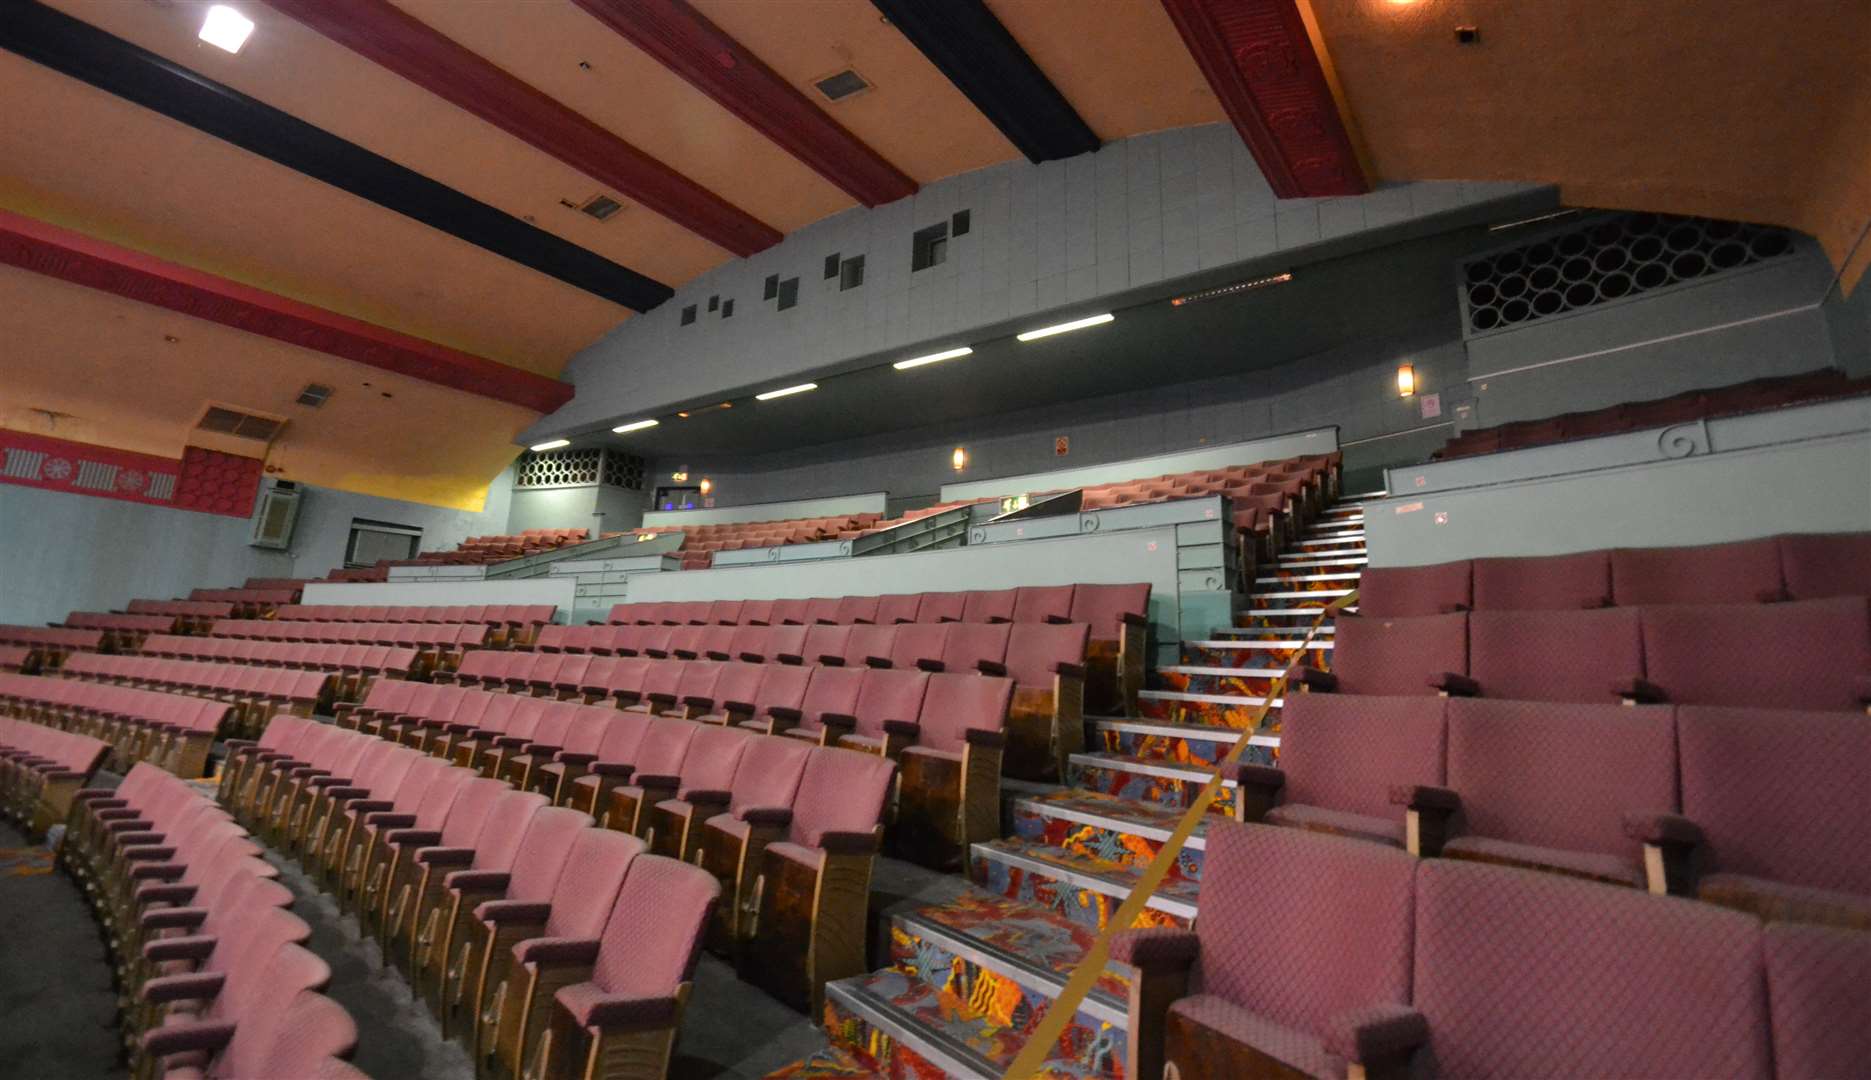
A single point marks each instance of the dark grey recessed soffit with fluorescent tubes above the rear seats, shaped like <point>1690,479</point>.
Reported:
<point>1333,302</point>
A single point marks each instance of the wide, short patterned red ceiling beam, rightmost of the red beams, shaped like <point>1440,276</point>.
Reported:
<point>1262,65</point>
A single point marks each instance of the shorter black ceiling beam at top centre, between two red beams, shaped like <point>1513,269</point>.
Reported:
<point>970,46</point>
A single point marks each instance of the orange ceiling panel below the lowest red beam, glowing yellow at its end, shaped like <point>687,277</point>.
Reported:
<point>104,362</point>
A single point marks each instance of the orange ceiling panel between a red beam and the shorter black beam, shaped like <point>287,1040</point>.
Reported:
<point>912,115</point>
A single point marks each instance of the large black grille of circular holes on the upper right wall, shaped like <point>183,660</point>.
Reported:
<point>1604,261</point>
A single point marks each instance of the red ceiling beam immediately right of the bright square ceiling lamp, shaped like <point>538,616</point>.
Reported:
<point>399,42</point>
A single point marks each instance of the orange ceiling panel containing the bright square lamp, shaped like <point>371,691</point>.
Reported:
<point>306,74</point>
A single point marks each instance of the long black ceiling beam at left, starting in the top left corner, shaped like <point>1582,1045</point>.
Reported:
<point>115,66</point>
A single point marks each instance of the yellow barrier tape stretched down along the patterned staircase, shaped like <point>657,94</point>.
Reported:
<point>1060,1014</point>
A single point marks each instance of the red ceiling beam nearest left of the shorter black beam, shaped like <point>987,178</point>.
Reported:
<point>716,65</point>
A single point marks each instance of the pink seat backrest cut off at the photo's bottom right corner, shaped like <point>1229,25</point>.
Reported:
<point>1816,980</point>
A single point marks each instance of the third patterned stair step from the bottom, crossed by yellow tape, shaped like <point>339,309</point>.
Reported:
<point>1077,886</point>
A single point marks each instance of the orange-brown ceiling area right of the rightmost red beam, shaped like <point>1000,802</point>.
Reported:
<point>1715,108</point>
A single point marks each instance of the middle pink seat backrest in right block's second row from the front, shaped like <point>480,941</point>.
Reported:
<point>1561,776</point>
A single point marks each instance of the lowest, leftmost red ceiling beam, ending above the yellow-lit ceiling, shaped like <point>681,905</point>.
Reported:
<point>80,259</point>
